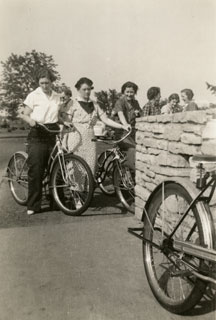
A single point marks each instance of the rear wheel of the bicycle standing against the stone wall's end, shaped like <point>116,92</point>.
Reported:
<point>105,181</point>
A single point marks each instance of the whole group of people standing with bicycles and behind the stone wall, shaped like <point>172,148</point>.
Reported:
<point>45,106</point>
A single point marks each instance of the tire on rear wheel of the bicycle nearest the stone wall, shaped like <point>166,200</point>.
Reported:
<point>106,185</point>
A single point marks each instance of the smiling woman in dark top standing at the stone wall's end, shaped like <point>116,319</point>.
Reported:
<point>127,108</point>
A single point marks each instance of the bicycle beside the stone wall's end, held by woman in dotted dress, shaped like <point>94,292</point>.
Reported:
<point>113,175</point>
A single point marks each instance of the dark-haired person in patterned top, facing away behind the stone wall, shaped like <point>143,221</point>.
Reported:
<point>152,107</point>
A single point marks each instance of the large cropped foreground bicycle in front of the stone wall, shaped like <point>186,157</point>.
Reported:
<point>178,238</point>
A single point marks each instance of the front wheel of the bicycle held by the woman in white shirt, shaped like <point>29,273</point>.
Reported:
<point>74,196</point>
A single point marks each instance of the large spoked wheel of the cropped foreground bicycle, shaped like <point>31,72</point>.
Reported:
<point>161,286</point>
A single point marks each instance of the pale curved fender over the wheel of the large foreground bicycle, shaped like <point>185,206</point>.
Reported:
<point>203,209</point>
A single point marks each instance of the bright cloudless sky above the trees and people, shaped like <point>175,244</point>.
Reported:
<point>166,43</point>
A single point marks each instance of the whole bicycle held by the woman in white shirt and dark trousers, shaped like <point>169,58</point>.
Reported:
<point>68,179</point>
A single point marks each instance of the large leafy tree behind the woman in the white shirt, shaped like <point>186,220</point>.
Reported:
<point>19,78</point>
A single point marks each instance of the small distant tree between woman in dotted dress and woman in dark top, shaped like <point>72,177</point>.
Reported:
<point>107,99</point>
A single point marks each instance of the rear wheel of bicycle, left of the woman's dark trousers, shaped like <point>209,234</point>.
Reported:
<point>18,177</point>
